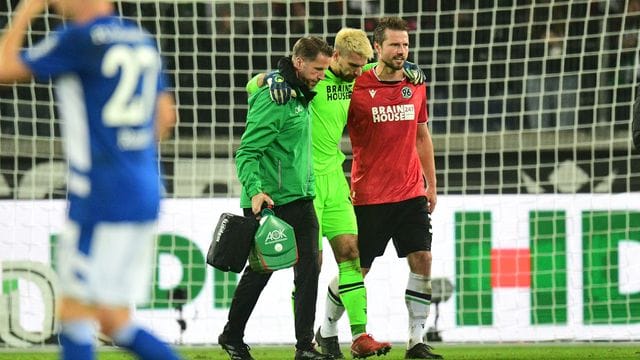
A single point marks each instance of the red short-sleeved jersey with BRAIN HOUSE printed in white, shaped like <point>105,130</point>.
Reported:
<point>382,122</point>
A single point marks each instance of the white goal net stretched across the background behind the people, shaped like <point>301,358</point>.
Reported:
<point>530,105</point>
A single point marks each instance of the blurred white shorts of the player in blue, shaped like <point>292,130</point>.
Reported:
<point>107,263</point>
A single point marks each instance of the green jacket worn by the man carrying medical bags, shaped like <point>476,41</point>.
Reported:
<point>274,156</point>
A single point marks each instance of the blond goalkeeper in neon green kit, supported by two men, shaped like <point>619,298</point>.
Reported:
<point>332,204</point>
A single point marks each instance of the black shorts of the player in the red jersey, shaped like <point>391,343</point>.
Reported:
<point>407,222</point>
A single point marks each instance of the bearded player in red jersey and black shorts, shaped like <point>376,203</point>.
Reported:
<point>393,181</point>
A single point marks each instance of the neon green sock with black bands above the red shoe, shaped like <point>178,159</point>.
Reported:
<point>353,295</point>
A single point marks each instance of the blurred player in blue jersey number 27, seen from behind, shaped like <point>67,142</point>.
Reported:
<point>114,107</point>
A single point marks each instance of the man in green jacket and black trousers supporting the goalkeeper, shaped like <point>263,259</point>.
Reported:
<point>274,165</point>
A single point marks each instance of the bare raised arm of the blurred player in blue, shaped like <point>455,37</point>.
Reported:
<point>12,68</point>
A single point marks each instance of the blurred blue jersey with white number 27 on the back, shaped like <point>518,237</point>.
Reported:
<point>107,76</point>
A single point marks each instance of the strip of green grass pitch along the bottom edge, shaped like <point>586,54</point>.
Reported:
<point>515,351</point>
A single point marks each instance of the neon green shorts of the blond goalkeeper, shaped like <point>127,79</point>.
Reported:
<point>333,206</point>
